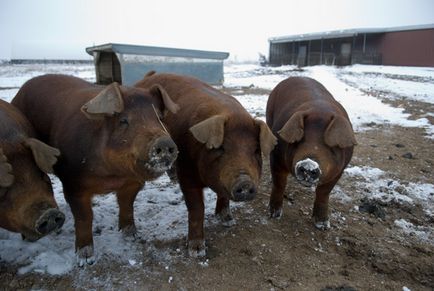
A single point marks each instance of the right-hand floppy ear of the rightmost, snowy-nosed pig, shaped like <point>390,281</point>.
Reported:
<point>339,133</point>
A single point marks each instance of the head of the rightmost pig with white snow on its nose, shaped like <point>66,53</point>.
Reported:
<point>318,141</point>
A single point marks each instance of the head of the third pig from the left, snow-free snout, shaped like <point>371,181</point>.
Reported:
<point>230,159</point>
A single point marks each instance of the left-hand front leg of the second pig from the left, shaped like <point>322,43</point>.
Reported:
<point>81,208</point>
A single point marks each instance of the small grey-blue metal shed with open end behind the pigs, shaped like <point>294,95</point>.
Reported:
<point>127,64</point>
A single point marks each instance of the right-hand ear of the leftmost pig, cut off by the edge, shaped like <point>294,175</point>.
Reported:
<point>44,155</point>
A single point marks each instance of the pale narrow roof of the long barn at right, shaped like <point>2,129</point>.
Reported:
<point>345,33</point>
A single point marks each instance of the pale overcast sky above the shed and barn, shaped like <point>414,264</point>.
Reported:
<point>54,29</point>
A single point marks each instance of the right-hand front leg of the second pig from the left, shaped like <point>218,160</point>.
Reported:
<point>126,197</point>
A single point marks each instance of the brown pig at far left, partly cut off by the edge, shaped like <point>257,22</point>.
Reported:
<point>27,203</point>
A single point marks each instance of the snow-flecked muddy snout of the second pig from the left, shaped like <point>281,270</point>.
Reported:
<point>162,154</point>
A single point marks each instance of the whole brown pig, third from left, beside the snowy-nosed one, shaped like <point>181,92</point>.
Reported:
<point>219,145</point>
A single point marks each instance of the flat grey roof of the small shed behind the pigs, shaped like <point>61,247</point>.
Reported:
<point>156,51</point>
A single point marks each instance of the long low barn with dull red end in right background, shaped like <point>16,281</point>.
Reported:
<point>403,46</point>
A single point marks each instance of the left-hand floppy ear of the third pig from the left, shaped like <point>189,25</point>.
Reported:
<point>210,131</point>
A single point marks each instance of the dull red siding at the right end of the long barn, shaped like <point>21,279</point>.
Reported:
<point>408,48</point>
